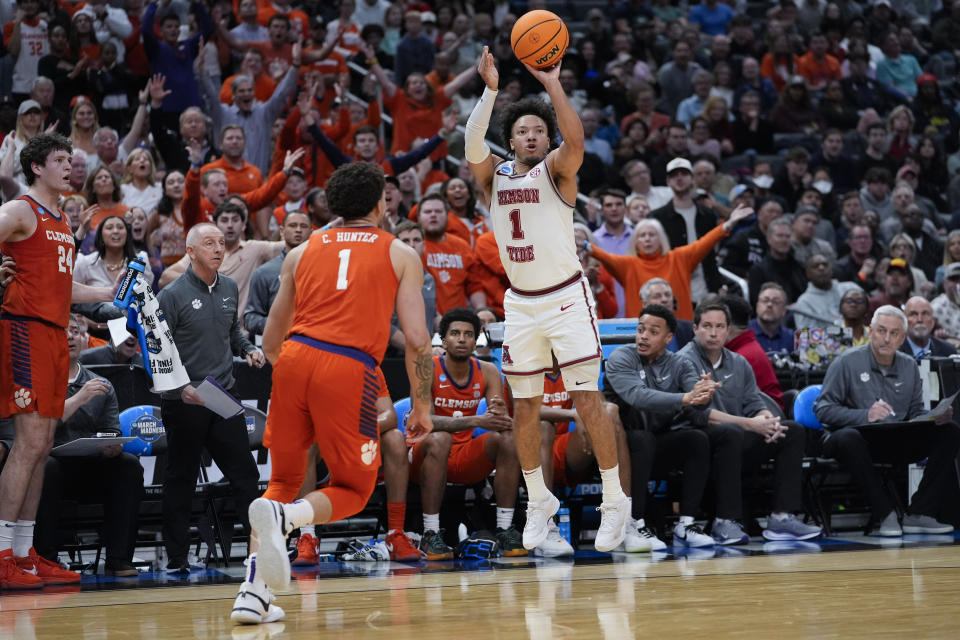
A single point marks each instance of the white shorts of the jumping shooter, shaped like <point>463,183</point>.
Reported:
<point>556,327</point>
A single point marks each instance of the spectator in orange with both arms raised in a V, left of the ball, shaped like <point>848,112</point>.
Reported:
<point>417,106</point>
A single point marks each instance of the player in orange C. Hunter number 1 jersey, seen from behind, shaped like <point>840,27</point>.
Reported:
<point>326,333</point>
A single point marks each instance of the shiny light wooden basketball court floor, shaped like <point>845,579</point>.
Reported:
<point>830,589</point>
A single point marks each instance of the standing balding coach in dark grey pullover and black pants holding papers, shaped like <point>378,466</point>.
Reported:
<point>201,310</point>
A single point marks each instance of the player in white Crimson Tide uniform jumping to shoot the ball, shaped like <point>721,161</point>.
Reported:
<point>550,318</point>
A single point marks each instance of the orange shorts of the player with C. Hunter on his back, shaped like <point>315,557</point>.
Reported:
<point>327,394</point>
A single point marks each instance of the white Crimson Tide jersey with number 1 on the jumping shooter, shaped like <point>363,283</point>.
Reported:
<point>533,225</point>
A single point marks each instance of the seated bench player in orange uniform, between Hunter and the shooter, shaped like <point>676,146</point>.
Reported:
<point>451,452</point>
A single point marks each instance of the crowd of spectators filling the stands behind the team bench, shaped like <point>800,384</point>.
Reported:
<point>837,121</point>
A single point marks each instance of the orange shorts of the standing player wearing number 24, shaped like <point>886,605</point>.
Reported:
<point>34,368</point>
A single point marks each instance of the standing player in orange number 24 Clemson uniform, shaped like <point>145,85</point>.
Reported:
<point>34,357</point>
